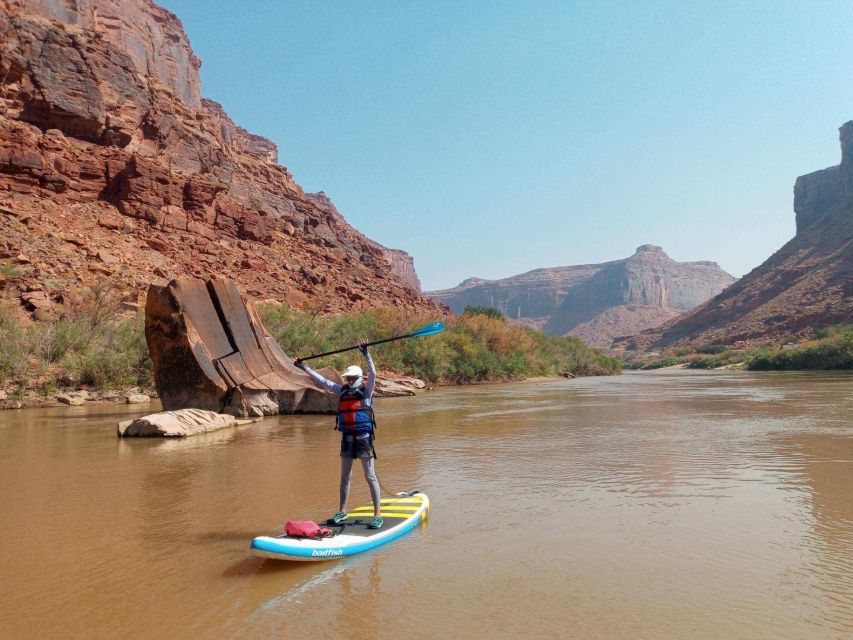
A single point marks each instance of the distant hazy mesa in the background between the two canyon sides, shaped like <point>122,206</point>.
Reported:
<point>596,302</point>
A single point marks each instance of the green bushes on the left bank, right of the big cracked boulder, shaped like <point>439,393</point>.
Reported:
<point>477,346</point>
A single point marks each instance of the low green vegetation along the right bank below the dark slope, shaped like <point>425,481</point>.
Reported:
<point>829,348</point>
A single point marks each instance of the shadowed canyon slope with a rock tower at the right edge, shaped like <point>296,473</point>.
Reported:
<point>805,285</point>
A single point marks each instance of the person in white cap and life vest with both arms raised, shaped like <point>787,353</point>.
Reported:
<point>356,423</point>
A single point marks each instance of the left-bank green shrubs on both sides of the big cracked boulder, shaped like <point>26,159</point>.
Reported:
<point>93,344</point>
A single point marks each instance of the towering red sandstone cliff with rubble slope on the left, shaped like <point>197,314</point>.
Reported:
<point>112,165</point>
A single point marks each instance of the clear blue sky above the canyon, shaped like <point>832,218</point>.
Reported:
<point>489,138</point>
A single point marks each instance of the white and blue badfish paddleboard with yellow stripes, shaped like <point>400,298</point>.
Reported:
<point>400,515</point>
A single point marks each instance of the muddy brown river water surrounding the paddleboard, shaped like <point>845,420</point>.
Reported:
<point>653,505</point>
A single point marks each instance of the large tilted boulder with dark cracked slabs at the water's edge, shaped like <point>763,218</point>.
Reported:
<point>209,350</point>
